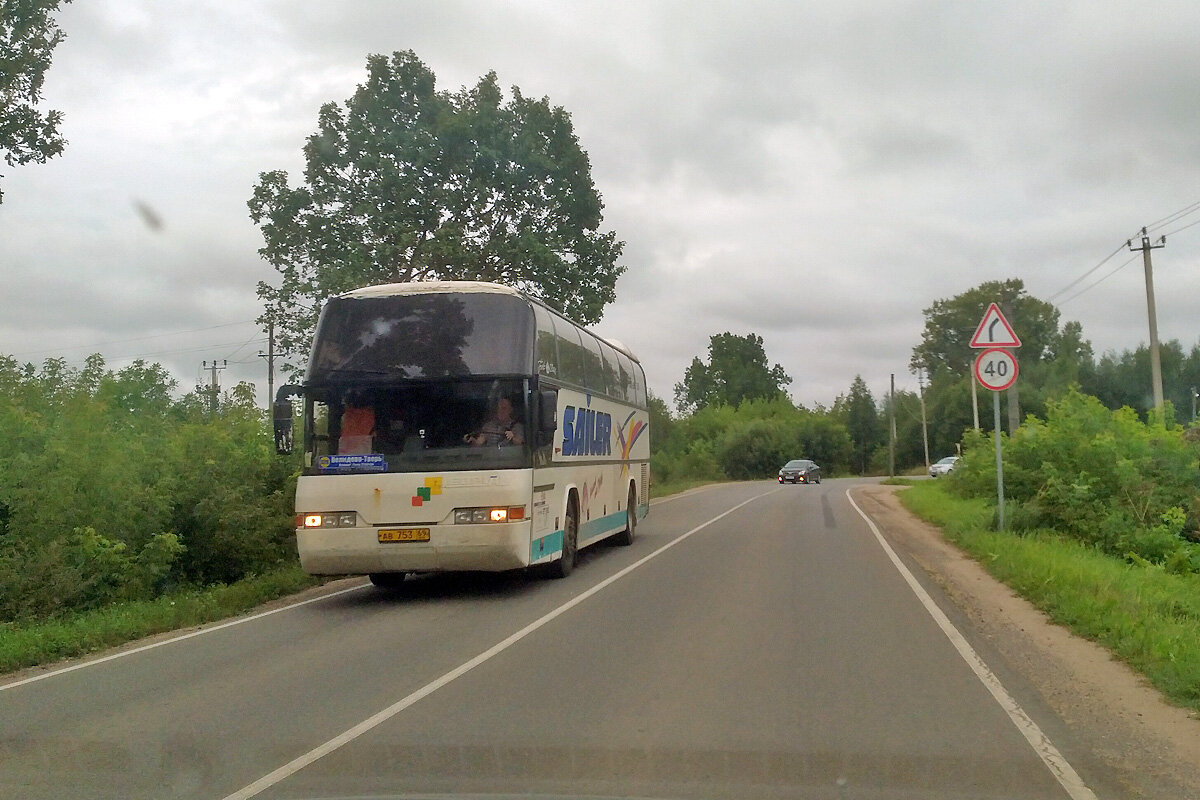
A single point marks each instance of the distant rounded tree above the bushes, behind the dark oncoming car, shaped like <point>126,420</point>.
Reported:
<point>737,371</point>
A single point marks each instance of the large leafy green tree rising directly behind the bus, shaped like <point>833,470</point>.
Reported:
<point>406,183</point>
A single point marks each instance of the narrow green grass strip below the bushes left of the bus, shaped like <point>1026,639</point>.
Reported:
<point>28,645</point>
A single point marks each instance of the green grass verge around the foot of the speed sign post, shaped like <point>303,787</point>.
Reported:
<point>1148,617</point>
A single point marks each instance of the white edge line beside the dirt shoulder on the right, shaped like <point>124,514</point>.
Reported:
<point>1058,765</point>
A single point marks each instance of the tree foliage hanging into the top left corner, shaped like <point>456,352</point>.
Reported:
<point>28,38</point>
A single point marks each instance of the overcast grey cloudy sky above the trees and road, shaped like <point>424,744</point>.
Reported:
<point>818,173</point>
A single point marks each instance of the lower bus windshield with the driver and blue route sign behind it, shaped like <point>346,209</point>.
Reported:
<point>418,426</point>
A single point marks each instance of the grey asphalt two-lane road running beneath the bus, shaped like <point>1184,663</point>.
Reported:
<point>775,652</point>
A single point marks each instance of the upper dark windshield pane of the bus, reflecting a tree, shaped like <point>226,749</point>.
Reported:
<point>423,336</point>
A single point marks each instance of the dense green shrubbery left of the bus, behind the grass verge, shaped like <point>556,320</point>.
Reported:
<point>111,489</point>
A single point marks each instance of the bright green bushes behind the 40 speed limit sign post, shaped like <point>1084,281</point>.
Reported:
<point>1102,477</point>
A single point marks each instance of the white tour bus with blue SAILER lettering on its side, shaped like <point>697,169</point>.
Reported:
<point>463,426</point>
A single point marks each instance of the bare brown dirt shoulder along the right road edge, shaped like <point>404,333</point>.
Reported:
<point>1154,748</point>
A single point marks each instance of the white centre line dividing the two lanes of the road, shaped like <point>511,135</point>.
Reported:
<point>351,735</point>
